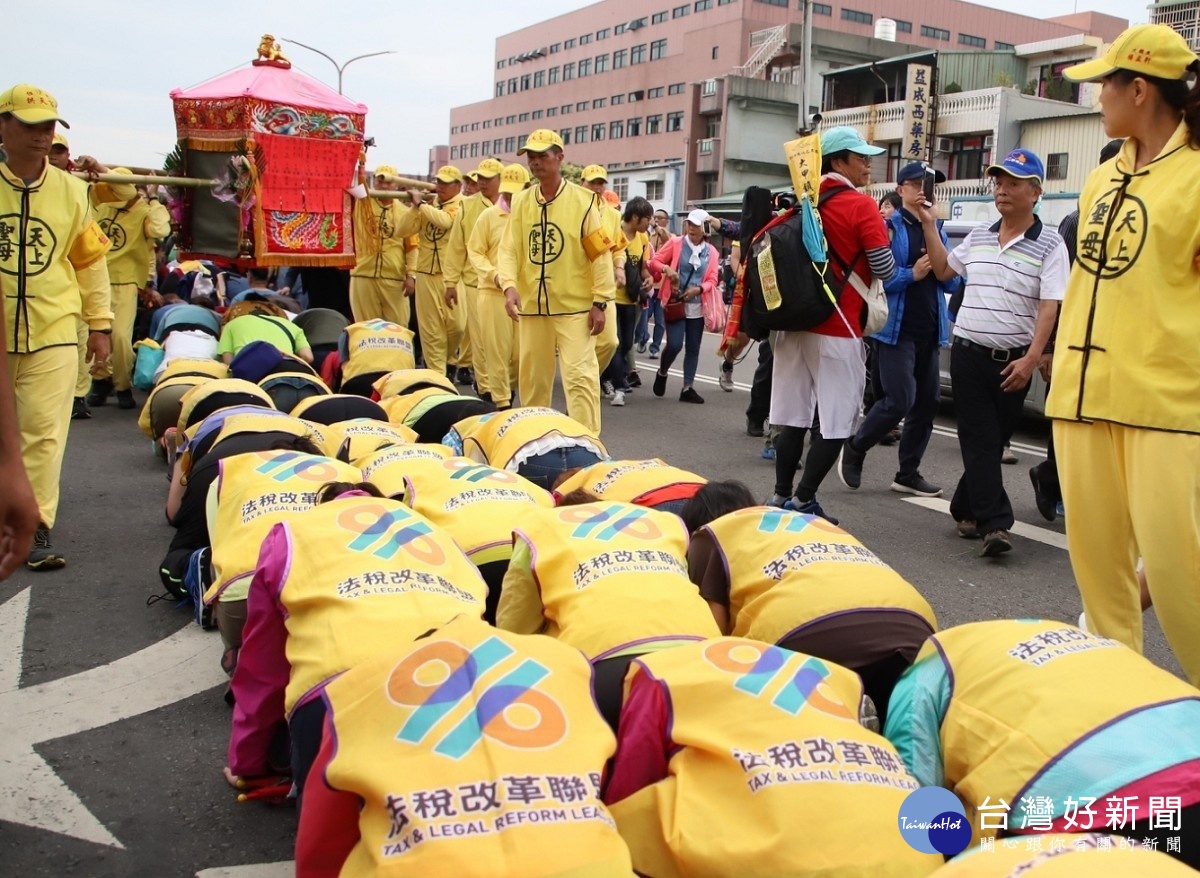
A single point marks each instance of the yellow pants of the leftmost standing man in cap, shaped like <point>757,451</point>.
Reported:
<point>44,383</point>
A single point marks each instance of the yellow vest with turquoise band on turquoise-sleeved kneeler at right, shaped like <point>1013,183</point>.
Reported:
<point>1027,693</point>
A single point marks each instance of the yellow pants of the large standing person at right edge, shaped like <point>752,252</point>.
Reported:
<point>1129,492</point>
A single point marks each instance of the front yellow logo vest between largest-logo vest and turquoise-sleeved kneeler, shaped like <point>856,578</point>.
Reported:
<point>765,742</point>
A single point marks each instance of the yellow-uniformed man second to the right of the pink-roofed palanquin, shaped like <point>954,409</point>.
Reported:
<point>441,328</point>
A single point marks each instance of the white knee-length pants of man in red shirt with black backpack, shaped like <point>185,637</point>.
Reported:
<point>815,374</point>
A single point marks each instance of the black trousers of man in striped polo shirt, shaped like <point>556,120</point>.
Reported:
<point>986,417</point>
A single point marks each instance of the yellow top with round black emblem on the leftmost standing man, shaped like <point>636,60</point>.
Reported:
<point>41,299</point>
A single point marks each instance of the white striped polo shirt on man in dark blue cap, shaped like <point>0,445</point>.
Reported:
<point>1006,285</point>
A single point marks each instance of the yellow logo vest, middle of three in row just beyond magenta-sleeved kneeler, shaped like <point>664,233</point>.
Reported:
<point>476,504</point>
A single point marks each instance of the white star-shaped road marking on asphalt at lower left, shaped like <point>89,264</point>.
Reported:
<point>32,795</point>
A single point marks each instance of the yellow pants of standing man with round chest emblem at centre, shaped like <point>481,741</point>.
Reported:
<point>577,360</point>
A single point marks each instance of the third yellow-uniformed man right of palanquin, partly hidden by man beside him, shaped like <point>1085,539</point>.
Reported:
<point>459,275</point>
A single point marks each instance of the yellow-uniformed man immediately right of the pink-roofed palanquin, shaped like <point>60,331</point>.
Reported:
<point>377,281</point>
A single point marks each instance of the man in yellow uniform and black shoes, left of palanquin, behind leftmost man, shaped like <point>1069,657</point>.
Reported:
<point>134,226</point>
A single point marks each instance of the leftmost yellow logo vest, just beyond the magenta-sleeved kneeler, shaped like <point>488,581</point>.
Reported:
<point>257,491</point>
